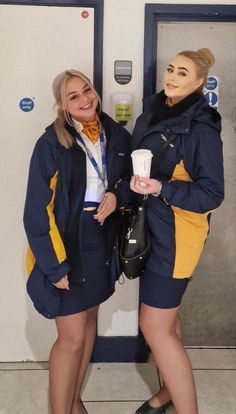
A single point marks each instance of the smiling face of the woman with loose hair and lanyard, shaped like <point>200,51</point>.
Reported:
<point>81,100</point>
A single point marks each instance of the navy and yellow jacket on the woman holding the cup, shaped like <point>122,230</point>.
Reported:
<point>191,172</point>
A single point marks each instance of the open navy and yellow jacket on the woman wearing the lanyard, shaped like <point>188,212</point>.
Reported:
<point>53,228</point>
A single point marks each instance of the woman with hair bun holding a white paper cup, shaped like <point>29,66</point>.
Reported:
<point>186,184</point>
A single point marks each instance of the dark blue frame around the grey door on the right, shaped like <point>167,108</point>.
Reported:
<point>157,13</point>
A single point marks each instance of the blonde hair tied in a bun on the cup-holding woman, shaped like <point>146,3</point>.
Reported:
<point>203,59</point>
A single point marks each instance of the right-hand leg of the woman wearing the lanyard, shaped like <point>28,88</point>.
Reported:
<point>88,348</point>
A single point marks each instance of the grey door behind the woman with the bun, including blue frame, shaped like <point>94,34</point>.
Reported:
<point>208,308</point>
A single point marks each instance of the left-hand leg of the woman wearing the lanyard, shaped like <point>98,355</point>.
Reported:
<point>64,361</point>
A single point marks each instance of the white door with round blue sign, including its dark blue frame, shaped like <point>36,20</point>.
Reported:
<point>37,42</point>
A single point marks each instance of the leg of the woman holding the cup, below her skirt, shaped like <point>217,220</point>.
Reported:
<point>159,328</point>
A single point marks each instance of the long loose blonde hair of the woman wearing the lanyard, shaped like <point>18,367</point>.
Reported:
<point>63,116</point>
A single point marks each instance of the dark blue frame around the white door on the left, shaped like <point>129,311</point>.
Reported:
<point>98,6</point>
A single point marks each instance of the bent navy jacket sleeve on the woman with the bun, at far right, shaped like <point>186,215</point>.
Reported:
<point>204,163</point>
